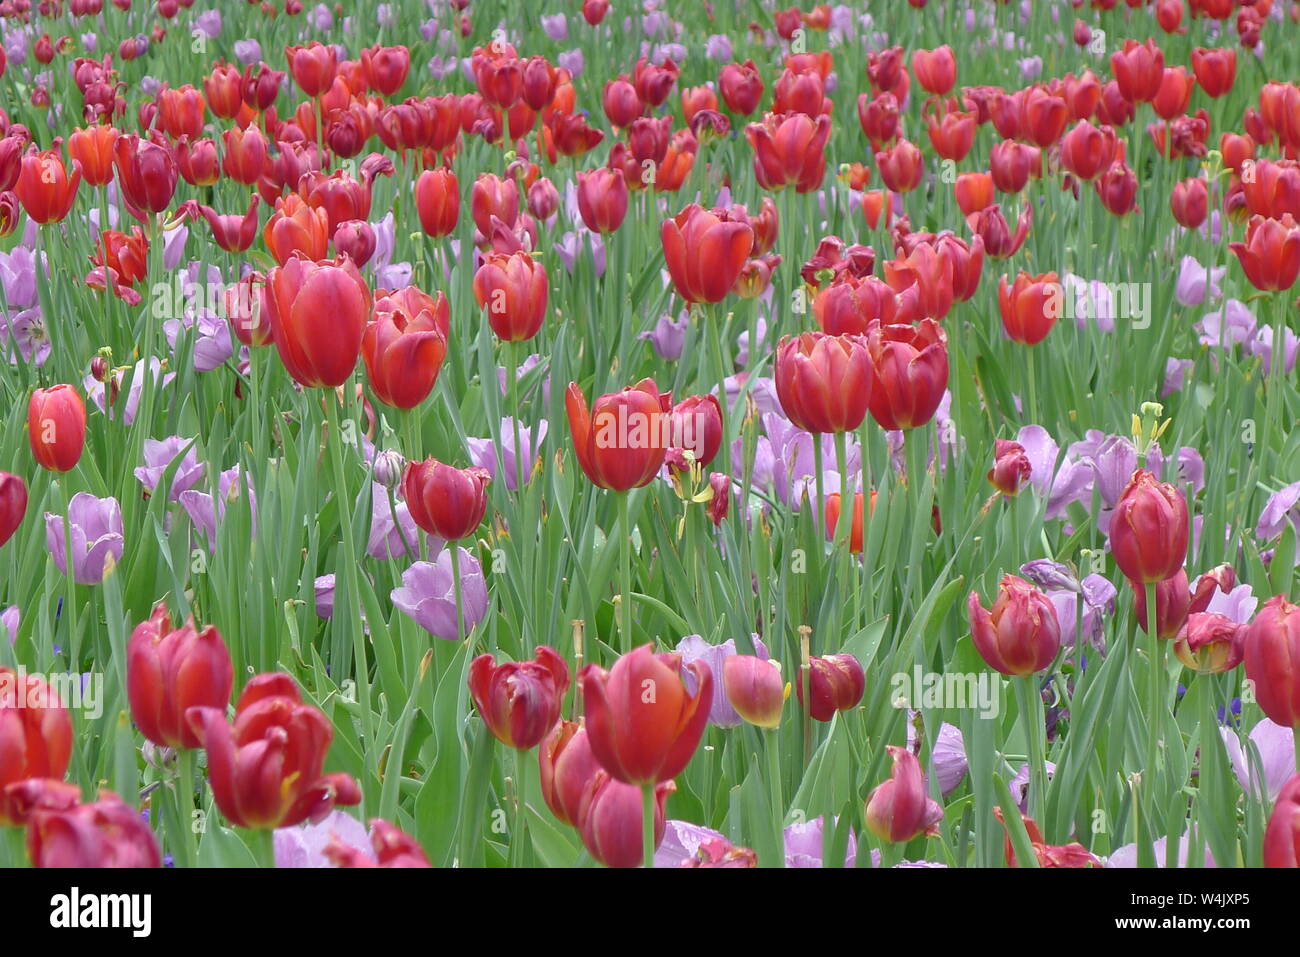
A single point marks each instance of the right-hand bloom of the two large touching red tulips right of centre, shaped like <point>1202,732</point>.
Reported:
<point>908,374</point>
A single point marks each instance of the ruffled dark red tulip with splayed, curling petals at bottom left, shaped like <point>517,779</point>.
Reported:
<point>266,769</point>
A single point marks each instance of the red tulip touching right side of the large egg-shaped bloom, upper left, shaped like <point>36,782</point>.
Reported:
<point>405,345</point>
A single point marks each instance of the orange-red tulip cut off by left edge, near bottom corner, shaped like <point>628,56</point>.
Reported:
<point>36,737</point>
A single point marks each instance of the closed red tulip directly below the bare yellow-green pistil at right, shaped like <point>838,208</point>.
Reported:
<point>1150,530</point>
